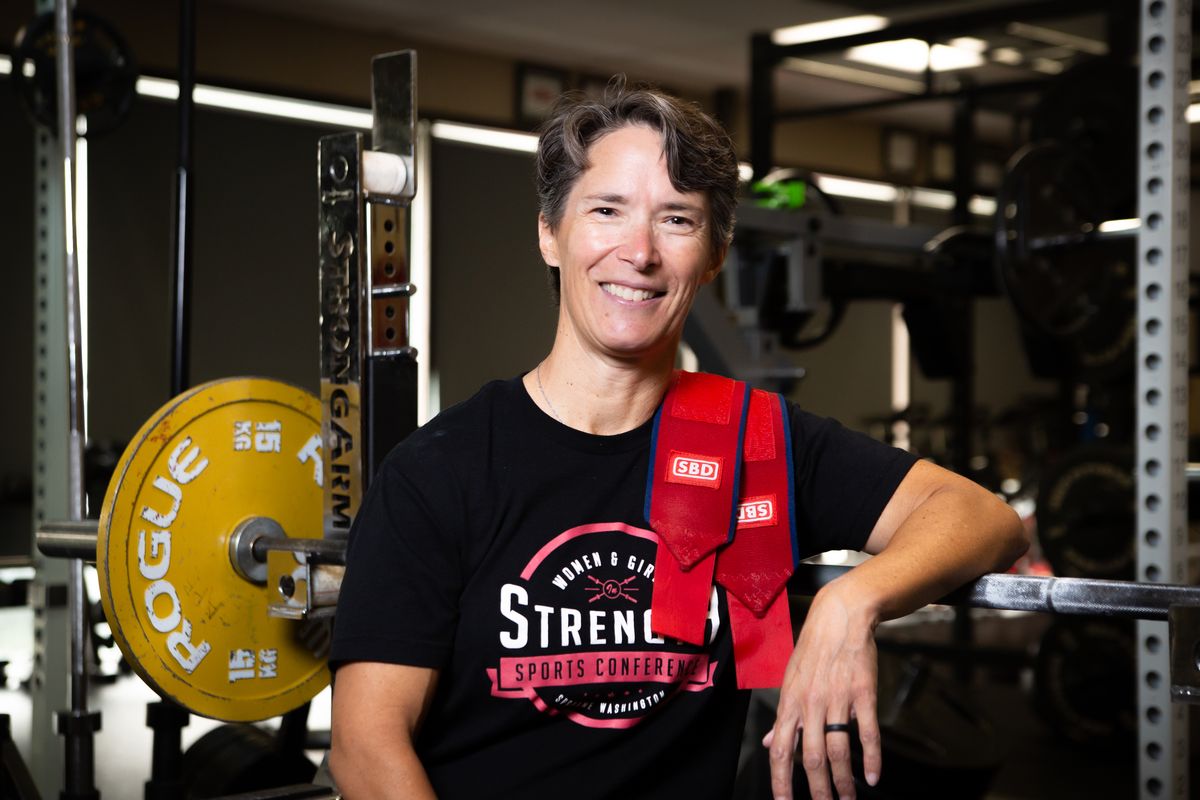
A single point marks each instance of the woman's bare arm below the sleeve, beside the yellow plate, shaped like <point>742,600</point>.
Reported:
<point>377,712</point>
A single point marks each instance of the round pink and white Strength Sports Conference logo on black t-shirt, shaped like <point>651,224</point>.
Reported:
<point>575,631</point>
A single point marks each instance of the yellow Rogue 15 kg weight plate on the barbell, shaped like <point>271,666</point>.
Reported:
<point>191,627</point>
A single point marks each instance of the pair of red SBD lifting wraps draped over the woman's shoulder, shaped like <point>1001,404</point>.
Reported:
<point>701,440</point>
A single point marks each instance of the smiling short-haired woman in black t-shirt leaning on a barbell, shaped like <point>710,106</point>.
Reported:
<point>494,634</point>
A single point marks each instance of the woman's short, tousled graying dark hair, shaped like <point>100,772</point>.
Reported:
<point>699,153</point>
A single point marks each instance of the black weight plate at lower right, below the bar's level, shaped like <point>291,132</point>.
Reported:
<point>1085,682</point>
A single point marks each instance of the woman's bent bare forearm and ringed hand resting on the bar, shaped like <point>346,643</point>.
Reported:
<point>937,533</point>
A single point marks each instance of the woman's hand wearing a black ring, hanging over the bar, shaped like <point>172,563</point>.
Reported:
<point>831,679</point>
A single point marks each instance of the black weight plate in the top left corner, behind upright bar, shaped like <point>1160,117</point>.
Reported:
<point>106,73</point>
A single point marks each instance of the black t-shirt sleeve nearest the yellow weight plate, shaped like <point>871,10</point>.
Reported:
<point>399,601</point>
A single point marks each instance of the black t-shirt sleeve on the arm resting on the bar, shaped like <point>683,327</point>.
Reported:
<point>844,479</point>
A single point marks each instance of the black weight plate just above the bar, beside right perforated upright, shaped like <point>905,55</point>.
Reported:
<point>1087,514</point>
